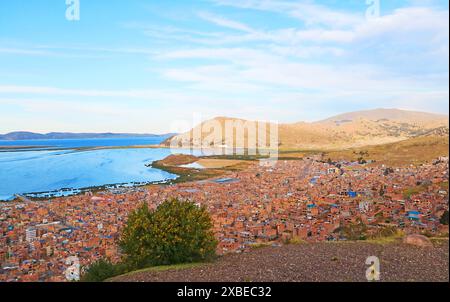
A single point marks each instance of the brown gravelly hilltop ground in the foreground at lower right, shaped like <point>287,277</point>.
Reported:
<point>315,262</point>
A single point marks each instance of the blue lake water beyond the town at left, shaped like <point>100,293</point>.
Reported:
<point>39,170</point>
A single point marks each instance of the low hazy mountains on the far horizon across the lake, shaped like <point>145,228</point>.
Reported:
<point>23,135</point>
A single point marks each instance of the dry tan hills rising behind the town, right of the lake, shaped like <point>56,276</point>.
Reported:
<point>355,129</point>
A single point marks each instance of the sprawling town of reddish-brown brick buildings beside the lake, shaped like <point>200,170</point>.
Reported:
<point>303,200</point>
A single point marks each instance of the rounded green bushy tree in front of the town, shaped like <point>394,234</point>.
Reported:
<point>176,232</point>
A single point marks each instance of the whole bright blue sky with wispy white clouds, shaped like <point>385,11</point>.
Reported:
<point>149,66</point>
